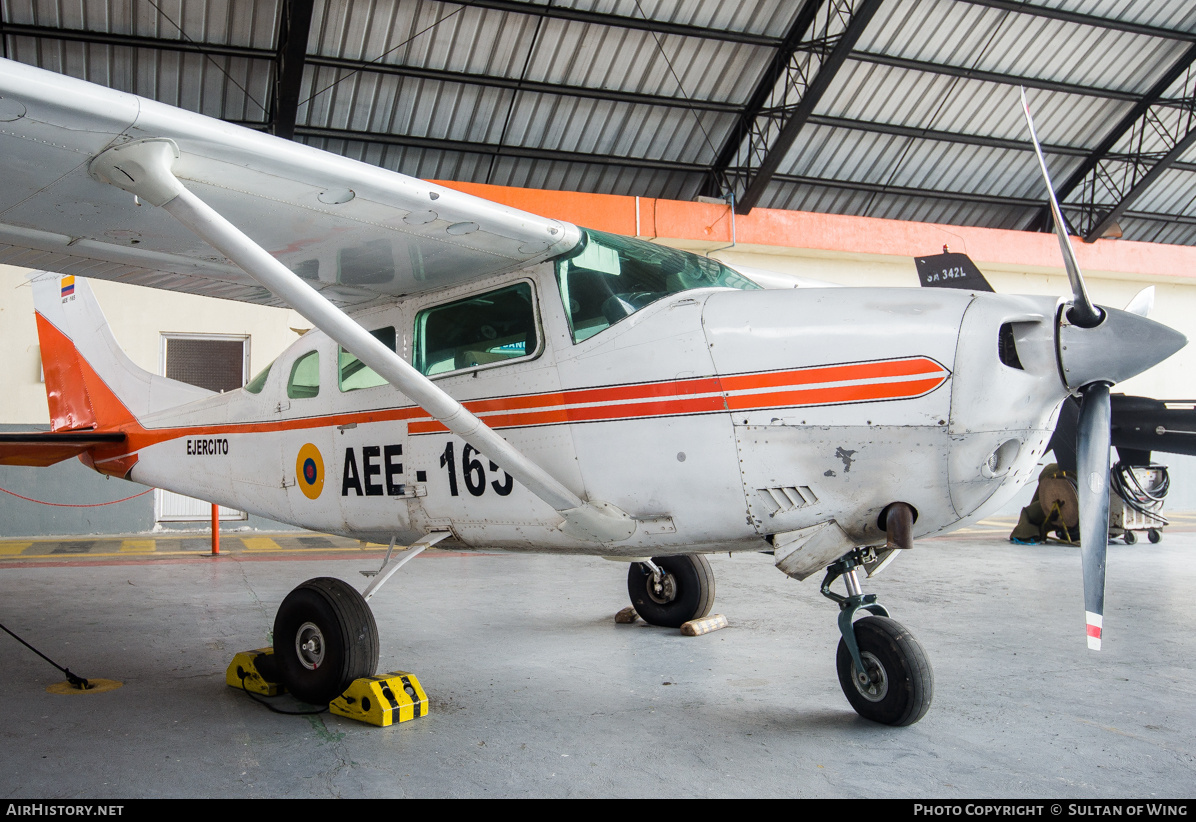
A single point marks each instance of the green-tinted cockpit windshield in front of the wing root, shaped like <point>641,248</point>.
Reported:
<point>607,278</point>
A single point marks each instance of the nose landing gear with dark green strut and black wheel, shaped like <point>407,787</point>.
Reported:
<point>882,668</point>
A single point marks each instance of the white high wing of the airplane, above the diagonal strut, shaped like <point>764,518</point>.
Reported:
<point>357,233</point>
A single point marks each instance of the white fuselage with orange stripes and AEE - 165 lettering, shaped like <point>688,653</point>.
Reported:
<point>717,417</point>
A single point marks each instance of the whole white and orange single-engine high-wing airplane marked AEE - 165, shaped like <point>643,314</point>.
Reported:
<point>520,383</point>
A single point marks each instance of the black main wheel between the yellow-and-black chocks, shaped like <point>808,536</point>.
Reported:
<point>325,638</point>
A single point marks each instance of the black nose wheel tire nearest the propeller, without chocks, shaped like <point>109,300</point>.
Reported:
<point>906,686</point>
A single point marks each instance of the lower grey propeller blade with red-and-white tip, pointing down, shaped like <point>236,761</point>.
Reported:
<point>1093,443</point>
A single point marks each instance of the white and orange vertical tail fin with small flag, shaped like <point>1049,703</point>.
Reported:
<point>91,385</point>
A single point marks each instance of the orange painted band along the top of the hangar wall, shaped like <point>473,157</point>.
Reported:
<point>703,223</point>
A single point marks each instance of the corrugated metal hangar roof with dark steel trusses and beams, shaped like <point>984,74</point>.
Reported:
<point>904,109</point>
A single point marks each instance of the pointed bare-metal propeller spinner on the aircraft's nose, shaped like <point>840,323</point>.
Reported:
<point>1121,346</point>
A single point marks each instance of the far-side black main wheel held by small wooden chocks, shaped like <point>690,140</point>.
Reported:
<point>687,590</point>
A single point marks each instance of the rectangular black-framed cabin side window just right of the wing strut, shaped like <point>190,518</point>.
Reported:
<point>486,330</point>
